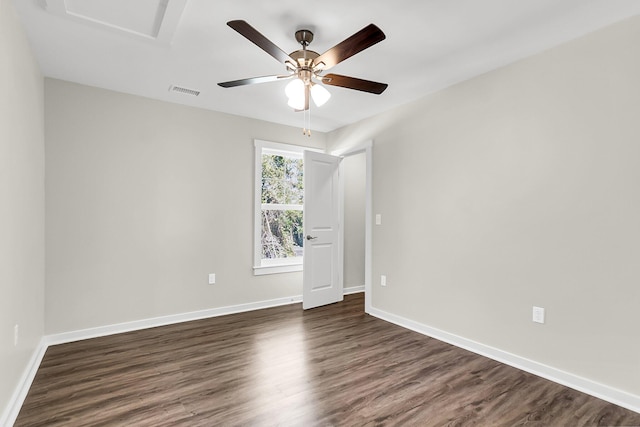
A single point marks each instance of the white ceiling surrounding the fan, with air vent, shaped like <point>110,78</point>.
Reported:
<point>144,47</point>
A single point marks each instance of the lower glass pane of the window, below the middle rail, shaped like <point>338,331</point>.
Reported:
<point>282,234</point>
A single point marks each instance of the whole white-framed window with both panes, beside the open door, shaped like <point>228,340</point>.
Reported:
<point>279,206</point>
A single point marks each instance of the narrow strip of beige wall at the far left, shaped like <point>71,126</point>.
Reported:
<point>21,202</point>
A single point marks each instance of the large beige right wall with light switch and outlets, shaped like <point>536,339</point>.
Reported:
<point>519,188</point>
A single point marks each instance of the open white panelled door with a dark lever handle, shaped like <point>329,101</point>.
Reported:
<point>322,265</point>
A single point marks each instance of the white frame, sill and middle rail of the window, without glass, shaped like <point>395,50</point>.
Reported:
<point>281,265</point>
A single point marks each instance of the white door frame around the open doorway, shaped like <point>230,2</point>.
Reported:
<point>367,148</point>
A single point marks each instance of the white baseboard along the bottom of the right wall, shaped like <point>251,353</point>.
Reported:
<point>601,391</point>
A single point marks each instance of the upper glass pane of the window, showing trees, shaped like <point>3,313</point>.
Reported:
<point>282,180</point>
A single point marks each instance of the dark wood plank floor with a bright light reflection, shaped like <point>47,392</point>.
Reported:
<point>330,366</point>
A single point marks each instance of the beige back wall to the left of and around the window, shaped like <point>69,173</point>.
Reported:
<point>144,199</point>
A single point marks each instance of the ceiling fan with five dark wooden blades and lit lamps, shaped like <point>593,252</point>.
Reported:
<point>305,66</point>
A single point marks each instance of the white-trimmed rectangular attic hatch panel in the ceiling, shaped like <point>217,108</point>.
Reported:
<point>149,19</point>
